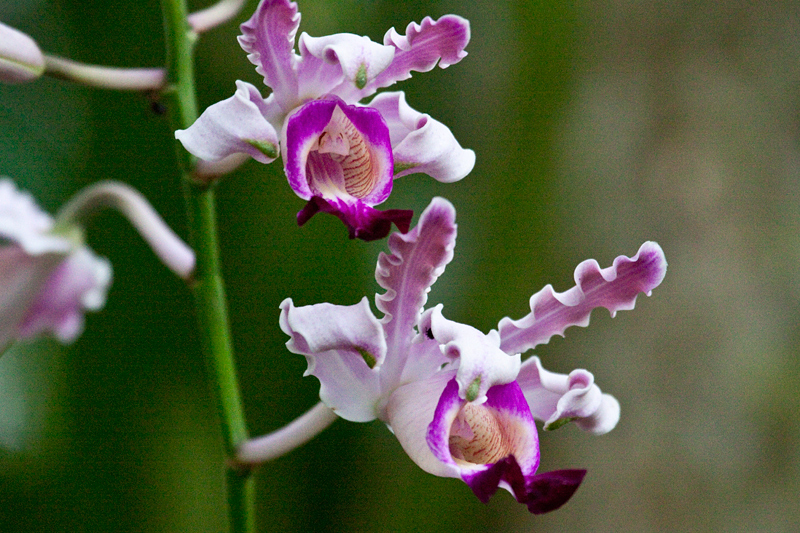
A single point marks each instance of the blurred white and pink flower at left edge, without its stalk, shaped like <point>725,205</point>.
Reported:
<point>49,278</point>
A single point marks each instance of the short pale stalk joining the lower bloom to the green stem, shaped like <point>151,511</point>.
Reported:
<point>273,445</point>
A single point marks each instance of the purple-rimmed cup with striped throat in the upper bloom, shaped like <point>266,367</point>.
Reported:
<point>338,151</point>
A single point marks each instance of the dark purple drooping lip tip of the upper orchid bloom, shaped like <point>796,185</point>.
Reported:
<point>362,221</point>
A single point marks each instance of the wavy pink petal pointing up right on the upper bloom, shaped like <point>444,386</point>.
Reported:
<point>424,45</point>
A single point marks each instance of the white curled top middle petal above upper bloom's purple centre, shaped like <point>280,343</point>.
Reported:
<point>358,59</point>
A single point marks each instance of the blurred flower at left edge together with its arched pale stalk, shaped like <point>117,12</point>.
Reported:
<point>49,276</point>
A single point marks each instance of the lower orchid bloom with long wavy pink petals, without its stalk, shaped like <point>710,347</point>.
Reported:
<point>460,402</point>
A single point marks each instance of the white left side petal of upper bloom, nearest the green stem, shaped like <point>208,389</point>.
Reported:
<point>235,125</point>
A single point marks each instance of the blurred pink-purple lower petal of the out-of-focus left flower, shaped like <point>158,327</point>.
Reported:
<point>79,283</point>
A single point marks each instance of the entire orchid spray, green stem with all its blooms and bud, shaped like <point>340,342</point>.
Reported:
<point>461,402</point>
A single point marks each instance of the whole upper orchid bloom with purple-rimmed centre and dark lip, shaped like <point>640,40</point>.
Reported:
<point>338,154</point>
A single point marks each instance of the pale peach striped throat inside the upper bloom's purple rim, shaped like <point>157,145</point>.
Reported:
<point>347,148</point>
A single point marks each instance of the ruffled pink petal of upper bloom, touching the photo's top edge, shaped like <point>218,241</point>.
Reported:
<point>268,39</point>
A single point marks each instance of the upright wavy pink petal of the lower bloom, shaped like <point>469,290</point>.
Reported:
<point>416,261</point>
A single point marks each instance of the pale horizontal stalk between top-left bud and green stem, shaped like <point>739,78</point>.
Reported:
<point>126,79</point>
